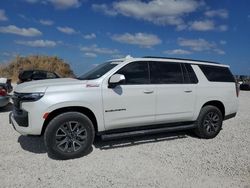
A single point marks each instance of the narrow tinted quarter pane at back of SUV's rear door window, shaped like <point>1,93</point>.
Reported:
<point>189,74</point>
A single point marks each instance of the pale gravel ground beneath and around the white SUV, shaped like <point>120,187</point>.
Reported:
<point>166,160</point>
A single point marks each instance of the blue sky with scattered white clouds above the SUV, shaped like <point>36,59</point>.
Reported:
<point>88,32</point>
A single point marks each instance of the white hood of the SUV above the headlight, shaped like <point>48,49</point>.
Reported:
<point>42,85</point>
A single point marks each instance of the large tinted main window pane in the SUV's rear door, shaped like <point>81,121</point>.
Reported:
<point>166,73</point>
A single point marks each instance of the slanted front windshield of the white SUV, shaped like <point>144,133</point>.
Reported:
<point>98,71</point>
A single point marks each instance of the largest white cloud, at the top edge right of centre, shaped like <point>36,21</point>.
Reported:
<point>160,12</point>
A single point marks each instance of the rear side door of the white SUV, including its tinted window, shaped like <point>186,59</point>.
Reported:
<point>175,97</point>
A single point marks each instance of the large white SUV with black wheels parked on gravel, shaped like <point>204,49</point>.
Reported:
<point>126,97</point>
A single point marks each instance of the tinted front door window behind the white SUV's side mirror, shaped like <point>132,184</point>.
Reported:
<point>135,73</point>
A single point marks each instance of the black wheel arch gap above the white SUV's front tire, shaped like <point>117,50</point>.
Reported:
<point>80,109</point>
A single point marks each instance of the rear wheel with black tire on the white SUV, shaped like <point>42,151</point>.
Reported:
<point>209,122</point>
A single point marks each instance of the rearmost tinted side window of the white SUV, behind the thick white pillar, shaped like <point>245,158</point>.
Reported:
<point>217,74</point>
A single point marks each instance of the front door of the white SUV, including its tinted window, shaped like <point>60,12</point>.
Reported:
<point>131,103</point>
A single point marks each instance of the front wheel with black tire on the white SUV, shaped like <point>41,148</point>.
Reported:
<point>69,135</point>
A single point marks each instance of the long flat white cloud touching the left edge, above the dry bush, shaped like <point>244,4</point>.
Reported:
<point>27,32</point>
